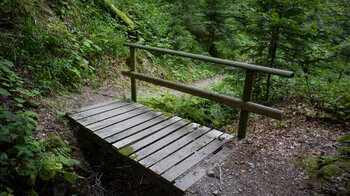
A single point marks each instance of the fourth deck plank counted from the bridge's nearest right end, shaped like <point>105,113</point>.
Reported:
<point>167,150</point>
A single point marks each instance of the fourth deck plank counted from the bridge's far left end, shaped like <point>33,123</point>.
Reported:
<point>105,123</point>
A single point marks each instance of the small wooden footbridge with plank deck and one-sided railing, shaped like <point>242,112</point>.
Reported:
<point>172,149</point>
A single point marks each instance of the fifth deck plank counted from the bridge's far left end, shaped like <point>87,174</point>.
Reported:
<point>126,124</point>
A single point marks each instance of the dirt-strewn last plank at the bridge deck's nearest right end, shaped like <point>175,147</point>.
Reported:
<point>196,173</point>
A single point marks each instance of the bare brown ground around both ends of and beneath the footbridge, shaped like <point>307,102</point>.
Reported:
<point>264,163</point>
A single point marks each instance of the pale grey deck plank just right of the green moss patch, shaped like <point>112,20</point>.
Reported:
<point>164,142</point>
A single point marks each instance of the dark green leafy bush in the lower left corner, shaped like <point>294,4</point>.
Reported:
<point>22,159</point>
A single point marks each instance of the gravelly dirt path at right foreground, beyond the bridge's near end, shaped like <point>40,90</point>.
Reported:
<point>264,163</point>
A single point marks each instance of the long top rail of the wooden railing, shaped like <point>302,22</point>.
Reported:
<point>257,68</point>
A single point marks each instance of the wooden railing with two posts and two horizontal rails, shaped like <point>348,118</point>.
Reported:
<point>244,104</point>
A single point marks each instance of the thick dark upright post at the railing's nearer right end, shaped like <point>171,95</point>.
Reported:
<point>247,94</point>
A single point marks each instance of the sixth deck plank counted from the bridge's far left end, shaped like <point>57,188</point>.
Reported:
<point>133,130</point>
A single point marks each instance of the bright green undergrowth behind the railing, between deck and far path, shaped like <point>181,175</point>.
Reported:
<point>202,111</point>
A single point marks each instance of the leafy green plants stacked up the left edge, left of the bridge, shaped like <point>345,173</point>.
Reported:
<point>22,158</point>
